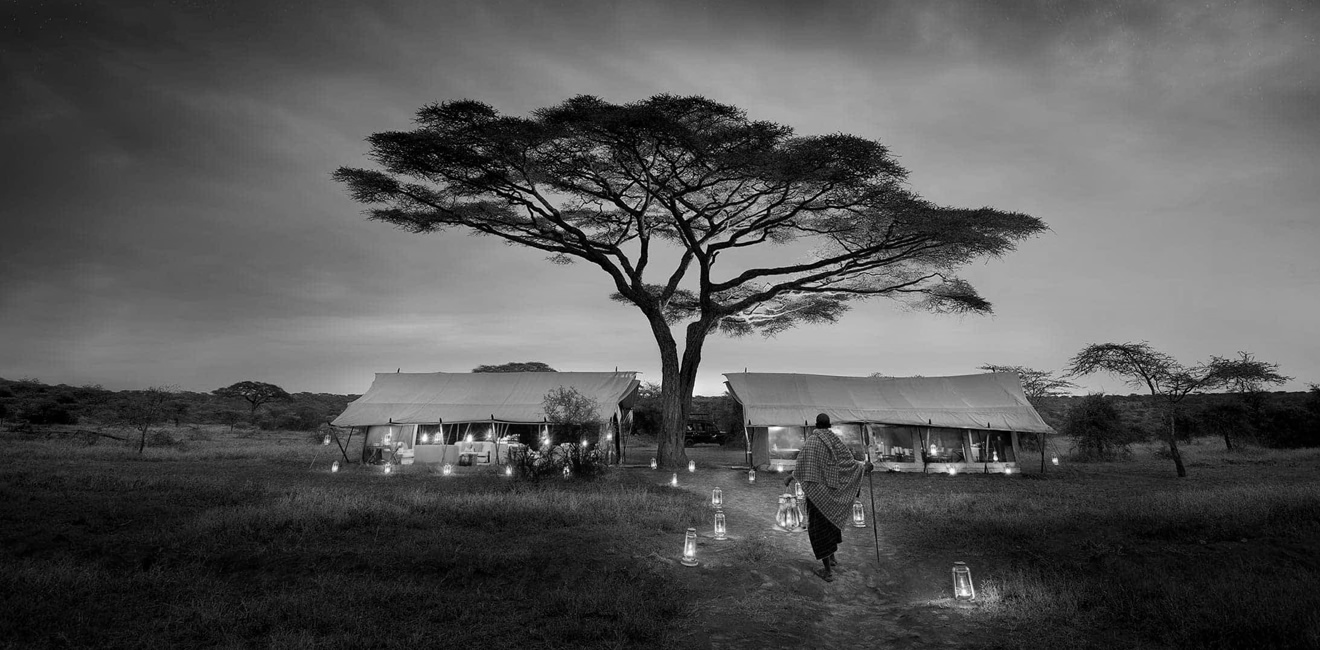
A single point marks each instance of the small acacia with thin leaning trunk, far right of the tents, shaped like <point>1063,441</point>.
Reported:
<point>1169,381</point>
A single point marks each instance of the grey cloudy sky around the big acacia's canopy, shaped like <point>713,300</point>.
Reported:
<point>170,219</point>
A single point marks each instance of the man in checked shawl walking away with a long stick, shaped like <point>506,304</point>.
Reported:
<point>831,479</point>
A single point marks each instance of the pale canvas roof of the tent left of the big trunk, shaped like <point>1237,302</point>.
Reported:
<point>427,398</point>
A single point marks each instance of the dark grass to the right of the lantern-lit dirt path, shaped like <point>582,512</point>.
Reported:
<point>1125,556</point>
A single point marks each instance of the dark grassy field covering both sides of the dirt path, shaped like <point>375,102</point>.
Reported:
<point>230,541</point>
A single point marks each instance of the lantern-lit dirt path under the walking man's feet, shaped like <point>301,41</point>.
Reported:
<point>758,589</point>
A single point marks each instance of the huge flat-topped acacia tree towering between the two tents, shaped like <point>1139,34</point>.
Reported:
<point>621,186</point>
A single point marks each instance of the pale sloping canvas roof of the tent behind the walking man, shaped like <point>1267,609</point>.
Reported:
<point>991,401</point>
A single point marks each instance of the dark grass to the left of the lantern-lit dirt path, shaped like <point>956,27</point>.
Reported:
<point>234,542</point>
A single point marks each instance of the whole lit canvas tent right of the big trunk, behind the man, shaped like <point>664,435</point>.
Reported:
<point>966,423</point>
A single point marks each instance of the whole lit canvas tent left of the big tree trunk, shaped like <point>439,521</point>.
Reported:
<point>472,418</point>
